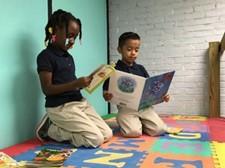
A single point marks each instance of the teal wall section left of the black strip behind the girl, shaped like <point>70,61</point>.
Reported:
<point>20,97</point>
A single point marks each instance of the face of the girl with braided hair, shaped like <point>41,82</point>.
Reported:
<point>66,41</point>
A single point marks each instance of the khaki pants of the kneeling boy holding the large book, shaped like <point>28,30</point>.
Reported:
<point>133,123</point>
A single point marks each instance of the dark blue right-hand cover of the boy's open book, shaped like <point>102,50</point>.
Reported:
<point>155,88</point>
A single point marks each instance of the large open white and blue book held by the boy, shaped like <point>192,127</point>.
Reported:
<point>137,92</point>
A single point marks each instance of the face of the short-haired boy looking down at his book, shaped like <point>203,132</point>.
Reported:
<point>129,51</point>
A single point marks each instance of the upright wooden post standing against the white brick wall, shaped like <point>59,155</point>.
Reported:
<point>214,79</point>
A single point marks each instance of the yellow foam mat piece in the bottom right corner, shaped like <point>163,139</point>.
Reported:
<point>218,151</point>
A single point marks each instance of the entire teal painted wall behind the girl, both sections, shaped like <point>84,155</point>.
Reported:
<point>22,36</point>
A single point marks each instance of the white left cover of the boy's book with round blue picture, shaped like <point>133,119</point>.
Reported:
<point>126,89</point>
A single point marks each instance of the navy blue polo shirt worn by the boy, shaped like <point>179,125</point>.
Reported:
<point>135,69</point>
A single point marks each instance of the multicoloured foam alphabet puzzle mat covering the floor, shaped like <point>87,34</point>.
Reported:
<point>201,144</point>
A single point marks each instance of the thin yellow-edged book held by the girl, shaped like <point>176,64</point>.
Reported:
<point>99,75</point>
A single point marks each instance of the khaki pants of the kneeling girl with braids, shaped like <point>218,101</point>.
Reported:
<point>78,123</point>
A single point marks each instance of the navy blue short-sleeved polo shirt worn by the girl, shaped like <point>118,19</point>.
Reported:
<point>62,66</point>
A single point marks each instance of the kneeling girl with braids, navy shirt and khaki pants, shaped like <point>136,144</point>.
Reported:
<point>69,116</point>
